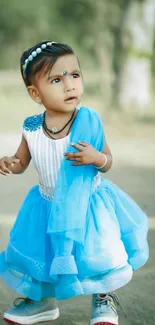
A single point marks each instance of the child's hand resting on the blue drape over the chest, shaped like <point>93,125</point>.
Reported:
<point>86,154</point>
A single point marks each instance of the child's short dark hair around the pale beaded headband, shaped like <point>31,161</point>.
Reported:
<point>44,61</point>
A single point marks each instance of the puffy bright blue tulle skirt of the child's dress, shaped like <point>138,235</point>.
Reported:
<point>115,244</point>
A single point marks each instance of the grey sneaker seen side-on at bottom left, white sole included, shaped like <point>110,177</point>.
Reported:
<point>27,311</point>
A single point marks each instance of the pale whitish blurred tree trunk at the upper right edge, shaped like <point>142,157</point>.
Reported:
<point>137,42</point>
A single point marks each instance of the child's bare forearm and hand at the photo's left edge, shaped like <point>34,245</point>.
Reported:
<point>17,163</point>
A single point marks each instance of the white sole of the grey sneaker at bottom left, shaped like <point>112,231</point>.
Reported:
<point>26,320</point>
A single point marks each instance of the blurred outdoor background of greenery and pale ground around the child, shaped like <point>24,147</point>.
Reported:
<point>115,42</point>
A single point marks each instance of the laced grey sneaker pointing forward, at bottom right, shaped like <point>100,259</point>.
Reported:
<point>104,310</point>
